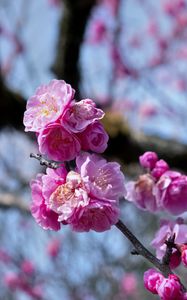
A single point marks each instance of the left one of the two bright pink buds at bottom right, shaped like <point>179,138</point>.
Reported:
<point>152,280</point>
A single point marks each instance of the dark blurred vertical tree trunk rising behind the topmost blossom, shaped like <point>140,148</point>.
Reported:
<point>72,28</point>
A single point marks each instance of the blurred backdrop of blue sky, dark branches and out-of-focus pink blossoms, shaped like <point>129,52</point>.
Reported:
<point>130,57</point>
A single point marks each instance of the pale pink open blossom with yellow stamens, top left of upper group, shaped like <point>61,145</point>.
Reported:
<point>47,105</point>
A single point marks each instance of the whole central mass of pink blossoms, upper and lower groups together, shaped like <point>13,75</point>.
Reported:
<point>87,196</point>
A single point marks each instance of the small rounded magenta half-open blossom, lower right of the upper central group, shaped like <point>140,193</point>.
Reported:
<point>94,138</point>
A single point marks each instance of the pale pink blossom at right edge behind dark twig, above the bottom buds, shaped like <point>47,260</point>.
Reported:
<point>167,229</point>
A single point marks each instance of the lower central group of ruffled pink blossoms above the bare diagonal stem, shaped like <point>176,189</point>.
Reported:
<point>86,198</point>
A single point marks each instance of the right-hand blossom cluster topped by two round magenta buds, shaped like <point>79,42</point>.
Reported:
<point>159,188</point>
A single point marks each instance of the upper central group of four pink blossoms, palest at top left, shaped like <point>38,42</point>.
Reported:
<point>63,126</point>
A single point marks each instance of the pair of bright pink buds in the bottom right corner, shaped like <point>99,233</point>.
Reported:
<point>166,288</point>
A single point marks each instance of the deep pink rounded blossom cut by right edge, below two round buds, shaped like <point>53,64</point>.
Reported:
<point>171,192</point>
